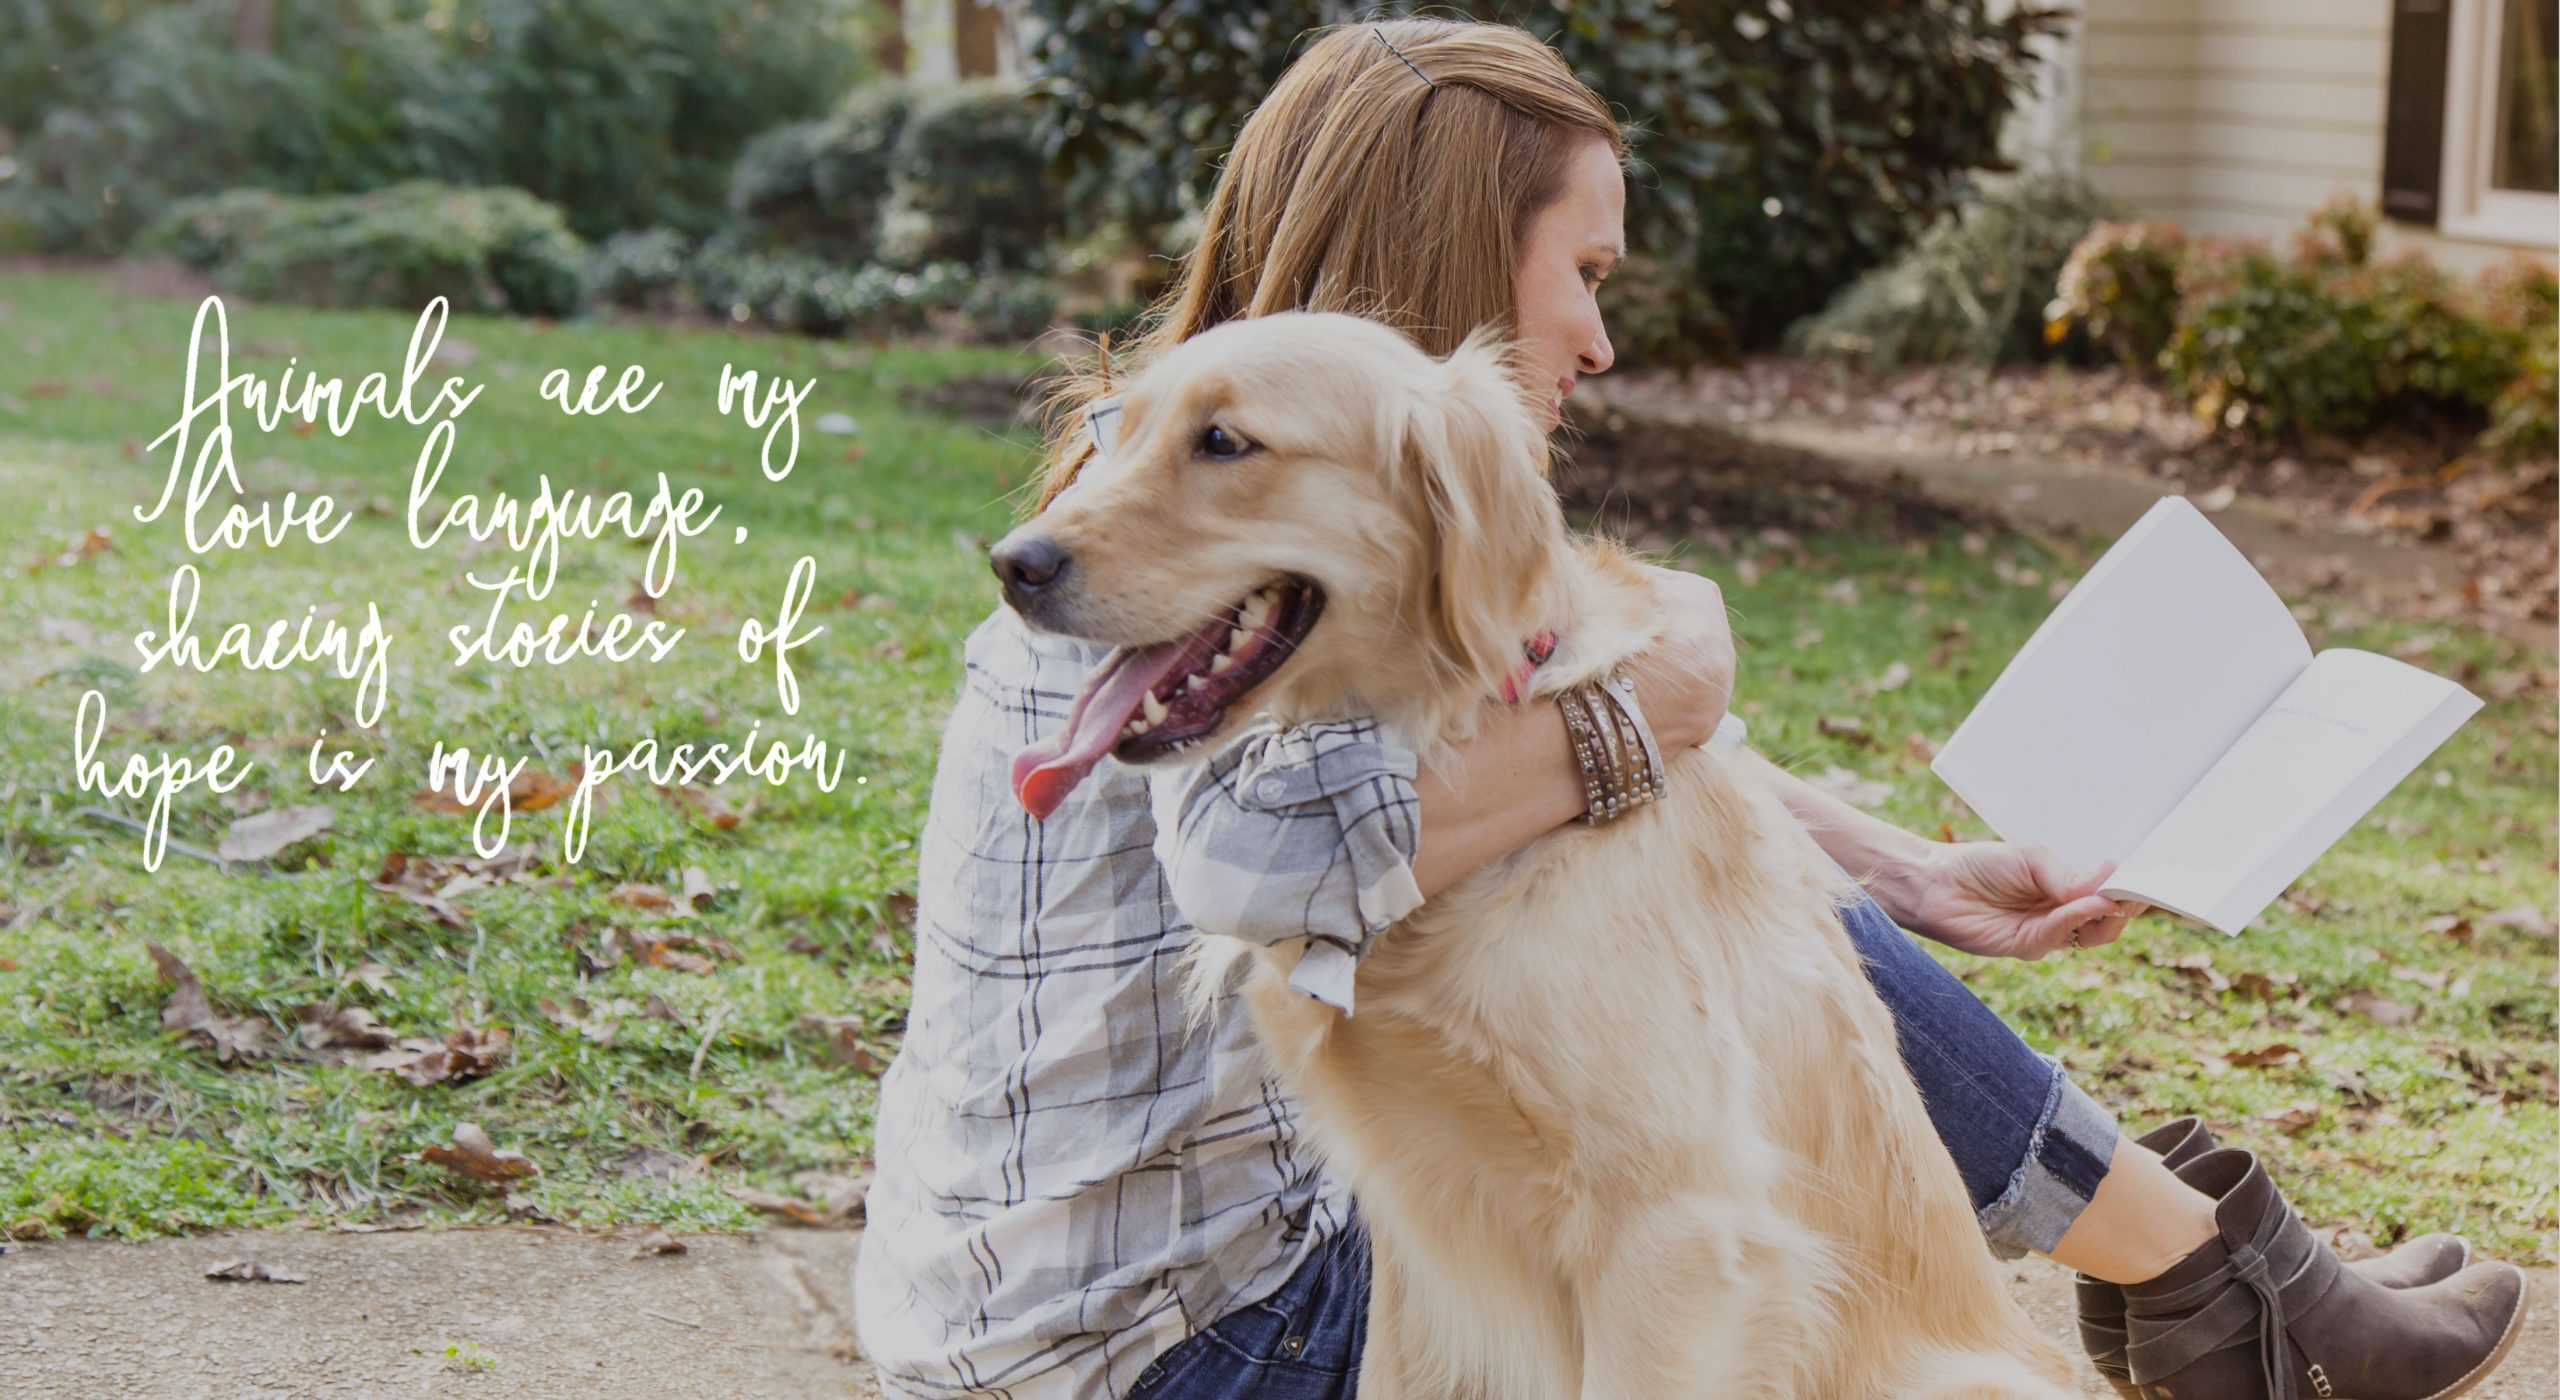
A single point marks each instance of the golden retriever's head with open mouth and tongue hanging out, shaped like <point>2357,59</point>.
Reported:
<point>1307,516</point>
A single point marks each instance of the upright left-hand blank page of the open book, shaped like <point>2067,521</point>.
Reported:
<point>2147,672</point>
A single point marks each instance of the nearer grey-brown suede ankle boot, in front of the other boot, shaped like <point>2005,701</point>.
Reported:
<point>2264,1312</point>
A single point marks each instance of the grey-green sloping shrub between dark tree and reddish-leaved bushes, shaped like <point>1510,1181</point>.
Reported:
<point>1970,290</point>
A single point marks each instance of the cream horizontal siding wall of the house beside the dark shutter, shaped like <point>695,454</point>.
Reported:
<point>2241,116</point>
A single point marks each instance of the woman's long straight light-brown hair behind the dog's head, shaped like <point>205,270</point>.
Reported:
<point>1389,175</point>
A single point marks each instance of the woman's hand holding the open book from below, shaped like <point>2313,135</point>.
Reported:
<point>2001,900</point>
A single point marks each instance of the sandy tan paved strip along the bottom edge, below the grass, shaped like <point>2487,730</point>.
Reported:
<point>549,1312</point>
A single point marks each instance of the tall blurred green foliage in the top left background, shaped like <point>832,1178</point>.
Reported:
<point>621,111</point>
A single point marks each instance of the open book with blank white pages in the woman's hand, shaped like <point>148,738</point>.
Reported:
<point>2175,720</point>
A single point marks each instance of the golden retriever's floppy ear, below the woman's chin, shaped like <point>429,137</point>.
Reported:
<point>1496,523</point>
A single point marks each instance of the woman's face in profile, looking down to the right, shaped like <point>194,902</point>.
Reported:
<point>1571,247</point>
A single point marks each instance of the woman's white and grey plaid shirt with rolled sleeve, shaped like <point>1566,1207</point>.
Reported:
<point>1071,1181</point>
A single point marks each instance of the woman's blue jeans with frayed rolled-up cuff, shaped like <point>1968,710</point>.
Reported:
<point>2029,1143</point>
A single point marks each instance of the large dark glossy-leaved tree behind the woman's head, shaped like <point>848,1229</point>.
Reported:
<point>1788,145</point>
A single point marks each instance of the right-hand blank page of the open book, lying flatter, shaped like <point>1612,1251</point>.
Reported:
<point>2333,744</point>
